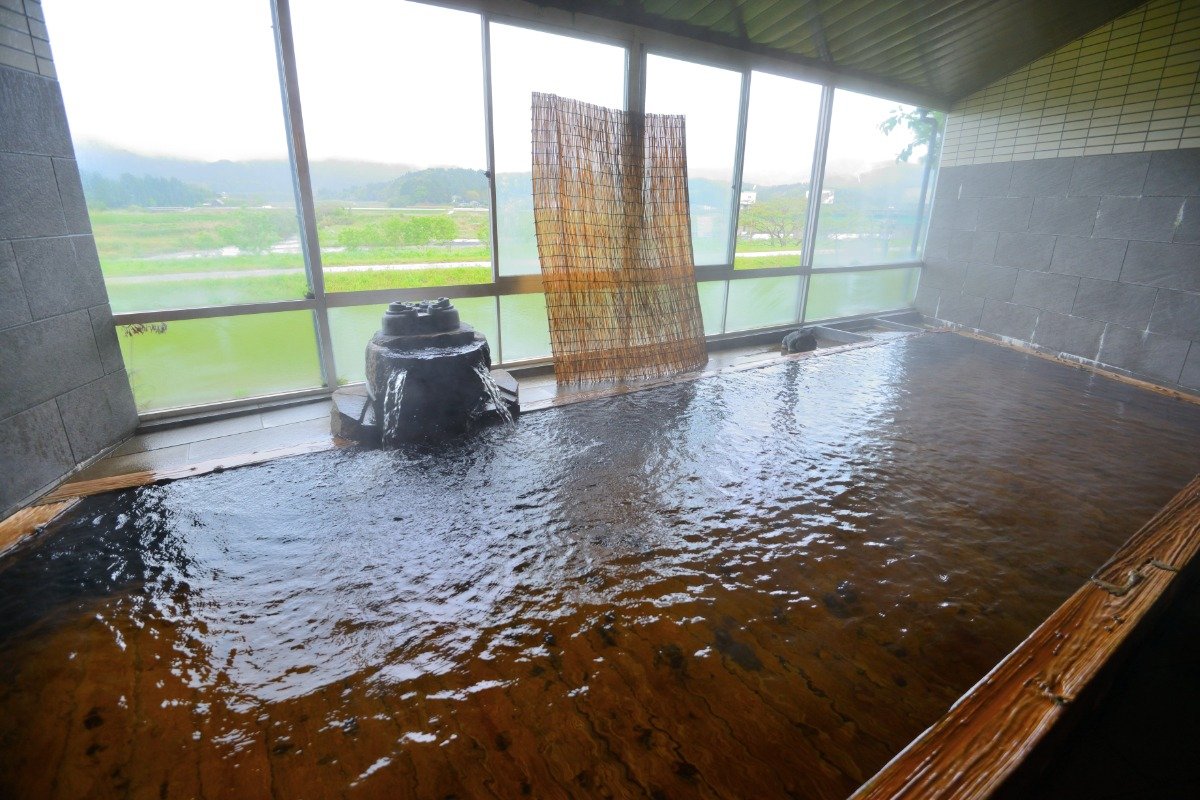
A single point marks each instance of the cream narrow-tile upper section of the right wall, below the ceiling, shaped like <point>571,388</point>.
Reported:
<point>1129,87</point>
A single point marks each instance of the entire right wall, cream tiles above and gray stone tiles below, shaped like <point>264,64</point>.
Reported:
<point>1067,213</point>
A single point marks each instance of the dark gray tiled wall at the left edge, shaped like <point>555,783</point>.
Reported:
<point>64,394</point>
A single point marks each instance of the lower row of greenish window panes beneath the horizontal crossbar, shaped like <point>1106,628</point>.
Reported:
<point>260,354</point>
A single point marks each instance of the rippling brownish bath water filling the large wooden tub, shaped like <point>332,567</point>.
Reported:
<point>761,585</point>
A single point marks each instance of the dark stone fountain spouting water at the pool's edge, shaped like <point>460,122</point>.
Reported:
<point>429,377</point>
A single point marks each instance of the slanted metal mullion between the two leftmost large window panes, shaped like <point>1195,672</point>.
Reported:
<point>302,183</point>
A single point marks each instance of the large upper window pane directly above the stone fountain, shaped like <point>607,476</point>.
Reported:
<point>394,119</point>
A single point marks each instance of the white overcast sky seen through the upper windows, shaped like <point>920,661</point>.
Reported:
<point>400,83</point>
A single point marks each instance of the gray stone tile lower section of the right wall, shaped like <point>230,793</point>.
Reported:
<point>1093,257</point>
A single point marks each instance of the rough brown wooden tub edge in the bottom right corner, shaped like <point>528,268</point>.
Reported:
<point>994,727</point>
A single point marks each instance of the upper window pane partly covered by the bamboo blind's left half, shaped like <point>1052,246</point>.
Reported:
<point>525,62</point>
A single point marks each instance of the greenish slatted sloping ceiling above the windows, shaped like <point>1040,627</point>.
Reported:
<point>941,50</point>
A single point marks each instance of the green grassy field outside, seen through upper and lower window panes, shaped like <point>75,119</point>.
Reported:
<point>212,257</point>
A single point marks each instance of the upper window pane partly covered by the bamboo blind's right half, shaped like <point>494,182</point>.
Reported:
<point>709,99</point>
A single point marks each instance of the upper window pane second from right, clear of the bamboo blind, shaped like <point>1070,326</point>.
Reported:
<point>782,131</point>
